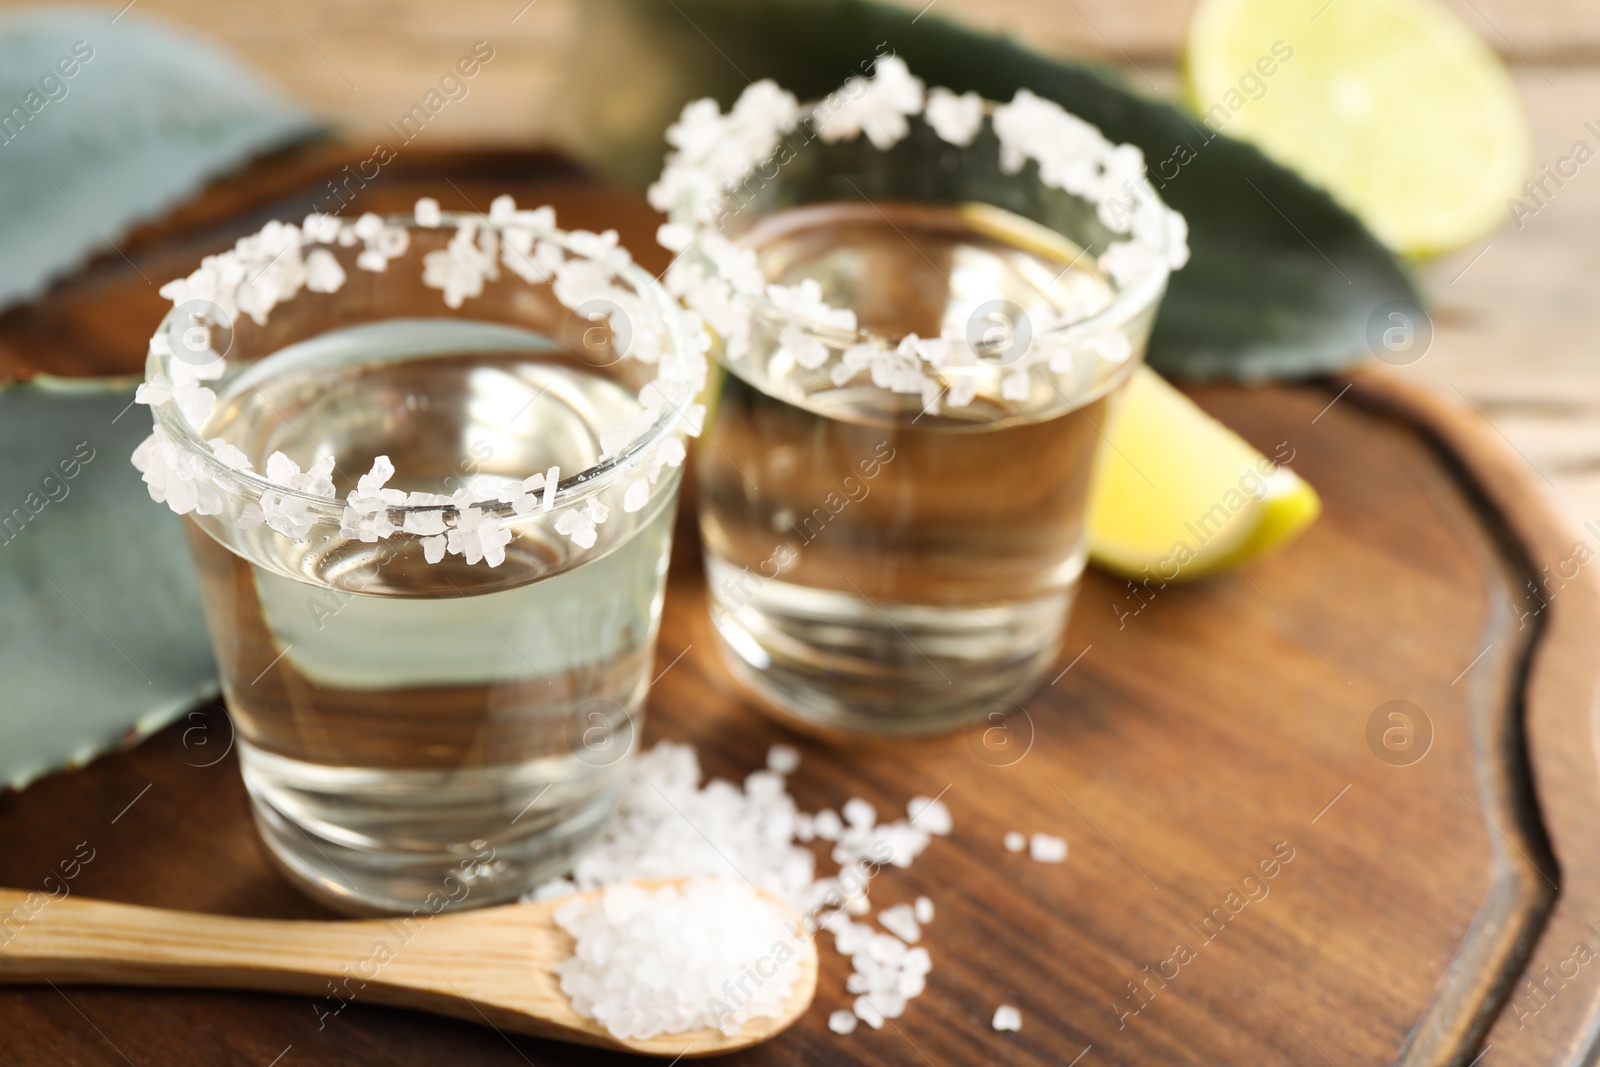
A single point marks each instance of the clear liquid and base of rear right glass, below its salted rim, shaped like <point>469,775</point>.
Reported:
<point>881,569</point>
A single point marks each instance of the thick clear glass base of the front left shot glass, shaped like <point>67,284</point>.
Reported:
<point>369,842</point>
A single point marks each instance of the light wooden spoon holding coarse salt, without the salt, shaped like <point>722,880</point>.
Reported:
<point>494,965</point>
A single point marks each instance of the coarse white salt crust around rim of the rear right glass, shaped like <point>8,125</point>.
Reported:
<point>716,154</point>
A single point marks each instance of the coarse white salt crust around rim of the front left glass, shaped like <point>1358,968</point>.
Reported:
<point>274,265</point>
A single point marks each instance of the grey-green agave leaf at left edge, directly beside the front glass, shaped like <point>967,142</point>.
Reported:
<point>102,636</point>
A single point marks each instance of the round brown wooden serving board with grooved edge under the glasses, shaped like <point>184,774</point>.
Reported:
<point>1223,732</point>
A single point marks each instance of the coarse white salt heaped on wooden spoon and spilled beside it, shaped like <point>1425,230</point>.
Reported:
<point>670,826</point>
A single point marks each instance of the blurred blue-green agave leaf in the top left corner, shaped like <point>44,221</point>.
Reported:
<point>148,116</point>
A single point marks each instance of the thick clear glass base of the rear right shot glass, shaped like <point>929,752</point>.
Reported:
<point>838,663</point>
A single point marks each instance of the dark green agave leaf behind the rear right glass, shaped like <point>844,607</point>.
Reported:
<point>1282,281</point>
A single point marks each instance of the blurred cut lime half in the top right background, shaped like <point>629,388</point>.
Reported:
<point>1393,106</point>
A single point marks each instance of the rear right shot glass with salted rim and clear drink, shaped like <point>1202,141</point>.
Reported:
<point>924,306</point>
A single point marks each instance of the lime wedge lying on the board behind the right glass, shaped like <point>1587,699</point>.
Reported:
<point>1180,495</point>
